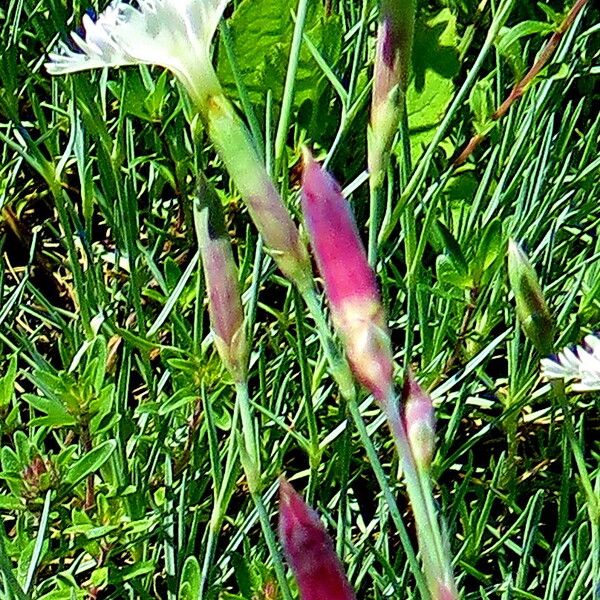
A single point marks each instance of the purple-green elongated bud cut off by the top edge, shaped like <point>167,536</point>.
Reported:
<point>390,78</point>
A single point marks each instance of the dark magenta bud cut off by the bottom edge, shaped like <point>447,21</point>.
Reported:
<point>309,549</point>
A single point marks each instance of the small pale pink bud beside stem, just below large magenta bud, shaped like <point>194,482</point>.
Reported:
<point>419,421</point>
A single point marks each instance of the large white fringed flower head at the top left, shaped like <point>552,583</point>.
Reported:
<point>175,34</point>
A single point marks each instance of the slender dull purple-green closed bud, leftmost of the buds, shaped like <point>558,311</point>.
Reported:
<point>222,284</point>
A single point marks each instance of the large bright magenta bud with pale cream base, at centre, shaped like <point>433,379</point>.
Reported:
<point>350,283</point>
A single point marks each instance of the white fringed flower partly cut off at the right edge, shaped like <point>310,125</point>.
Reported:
<point>580,365</point>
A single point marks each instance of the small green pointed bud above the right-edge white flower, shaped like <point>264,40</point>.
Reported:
<point>532,310</point>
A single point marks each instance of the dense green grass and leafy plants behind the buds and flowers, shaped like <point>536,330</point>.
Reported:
<point>115,409</point>
